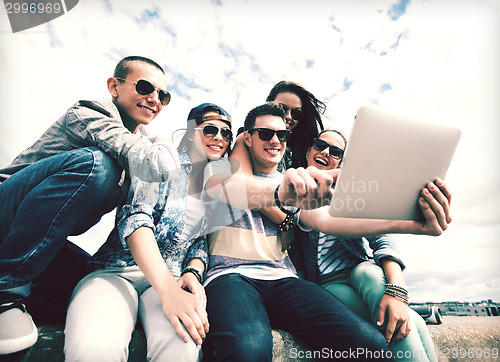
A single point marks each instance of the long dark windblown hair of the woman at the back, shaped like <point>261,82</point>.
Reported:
<point>308,128</point>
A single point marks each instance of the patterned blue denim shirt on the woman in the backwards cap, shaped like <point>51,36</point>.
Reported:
<point>161,207</point>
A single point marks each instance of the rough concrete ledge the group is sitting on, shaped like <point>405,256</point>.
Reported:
<point>472,337</point>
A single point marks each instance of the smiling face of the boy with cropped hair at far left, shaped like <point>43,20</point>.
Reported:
<point>134,108</point>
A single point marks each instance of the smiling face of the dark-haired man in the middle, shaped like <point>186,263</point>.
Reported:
<point>266,154</point>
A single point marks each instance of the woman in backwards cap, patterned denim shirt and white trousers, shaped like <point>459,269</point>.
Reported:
<point>151,267</point>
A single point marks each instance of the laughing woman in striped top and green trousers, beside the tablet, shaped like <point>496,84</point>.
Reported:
<point>373,288</point>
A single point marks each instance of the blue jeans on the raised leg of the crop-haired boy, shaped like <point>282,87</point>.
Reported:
<point>44,203</point>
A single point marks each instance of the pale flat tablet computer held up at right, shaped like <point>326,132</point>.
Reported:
<point>389,158</point>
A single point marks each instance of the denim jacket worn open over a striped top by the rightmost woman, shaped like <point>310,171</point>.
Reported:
<point>304,251</point>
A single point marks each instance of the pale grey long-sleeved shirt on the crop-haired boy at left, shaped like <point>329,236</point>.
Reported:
<point>98,123</point>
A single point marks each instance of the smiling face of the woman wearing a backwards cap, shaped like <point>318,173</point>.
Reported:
<point>208,147</point>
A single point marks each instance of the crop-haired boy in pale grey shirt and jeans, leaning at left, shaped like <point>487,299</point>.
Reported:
<point>65,181</point>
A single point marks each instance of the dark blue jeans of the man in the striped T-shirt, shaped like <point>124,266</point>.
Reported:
<point>243,311</point>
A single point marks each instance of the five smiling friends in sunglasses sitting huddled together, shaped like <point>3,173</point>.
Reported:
<point>216,241</point>
